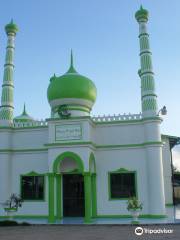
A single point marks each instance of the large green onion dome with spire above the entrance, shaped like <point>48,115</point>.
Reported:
<point>71,89</point>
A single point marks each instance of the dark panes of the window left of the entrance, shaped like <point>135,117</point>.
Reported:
<point>32,187</point>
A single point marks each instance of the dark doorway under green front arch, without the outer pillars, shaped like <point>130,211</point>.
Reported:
<point>70,200</point>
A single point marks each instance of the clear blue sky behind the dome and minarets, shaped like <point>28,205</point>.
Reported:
<point>104,37</point>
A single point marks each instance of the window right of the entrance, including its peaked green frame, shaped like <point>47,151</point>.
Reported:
<point>122,177</point>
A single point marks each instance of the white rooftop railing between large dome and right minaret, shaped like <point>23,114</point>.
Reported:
<point>124,117</point>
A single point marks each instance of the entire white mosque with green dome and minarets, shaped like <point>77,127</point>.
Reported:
<point>73,164</point>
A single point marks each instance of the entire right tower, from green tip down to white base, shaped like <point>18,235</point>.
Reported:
<point>151,123</point>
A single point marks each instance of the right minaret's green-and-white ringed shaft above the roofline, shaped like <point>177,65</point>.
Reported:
<point>148,95</point>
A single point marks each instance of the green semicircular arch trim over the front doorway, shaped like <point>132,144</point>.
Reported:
<point>72,155</point>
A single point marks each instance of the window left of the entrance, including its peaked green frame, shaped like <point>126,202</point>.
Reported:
<point>37,191</point>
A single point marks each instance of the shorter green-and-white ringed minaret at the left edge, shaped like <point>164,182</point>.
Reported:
<point>7,103</point>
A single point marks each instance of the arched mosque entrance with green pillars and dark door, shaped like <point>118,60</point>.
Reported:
<point>68,169</point>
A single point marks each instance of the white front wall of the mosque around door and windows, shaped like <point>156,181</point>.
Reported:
<point>115,145</point>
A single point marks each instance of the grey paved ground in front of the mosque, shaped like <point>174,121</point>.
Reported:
<point>85,232</point>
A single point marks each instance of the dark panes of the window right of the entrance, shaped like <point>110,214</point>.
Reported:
<point>122,185</point>
